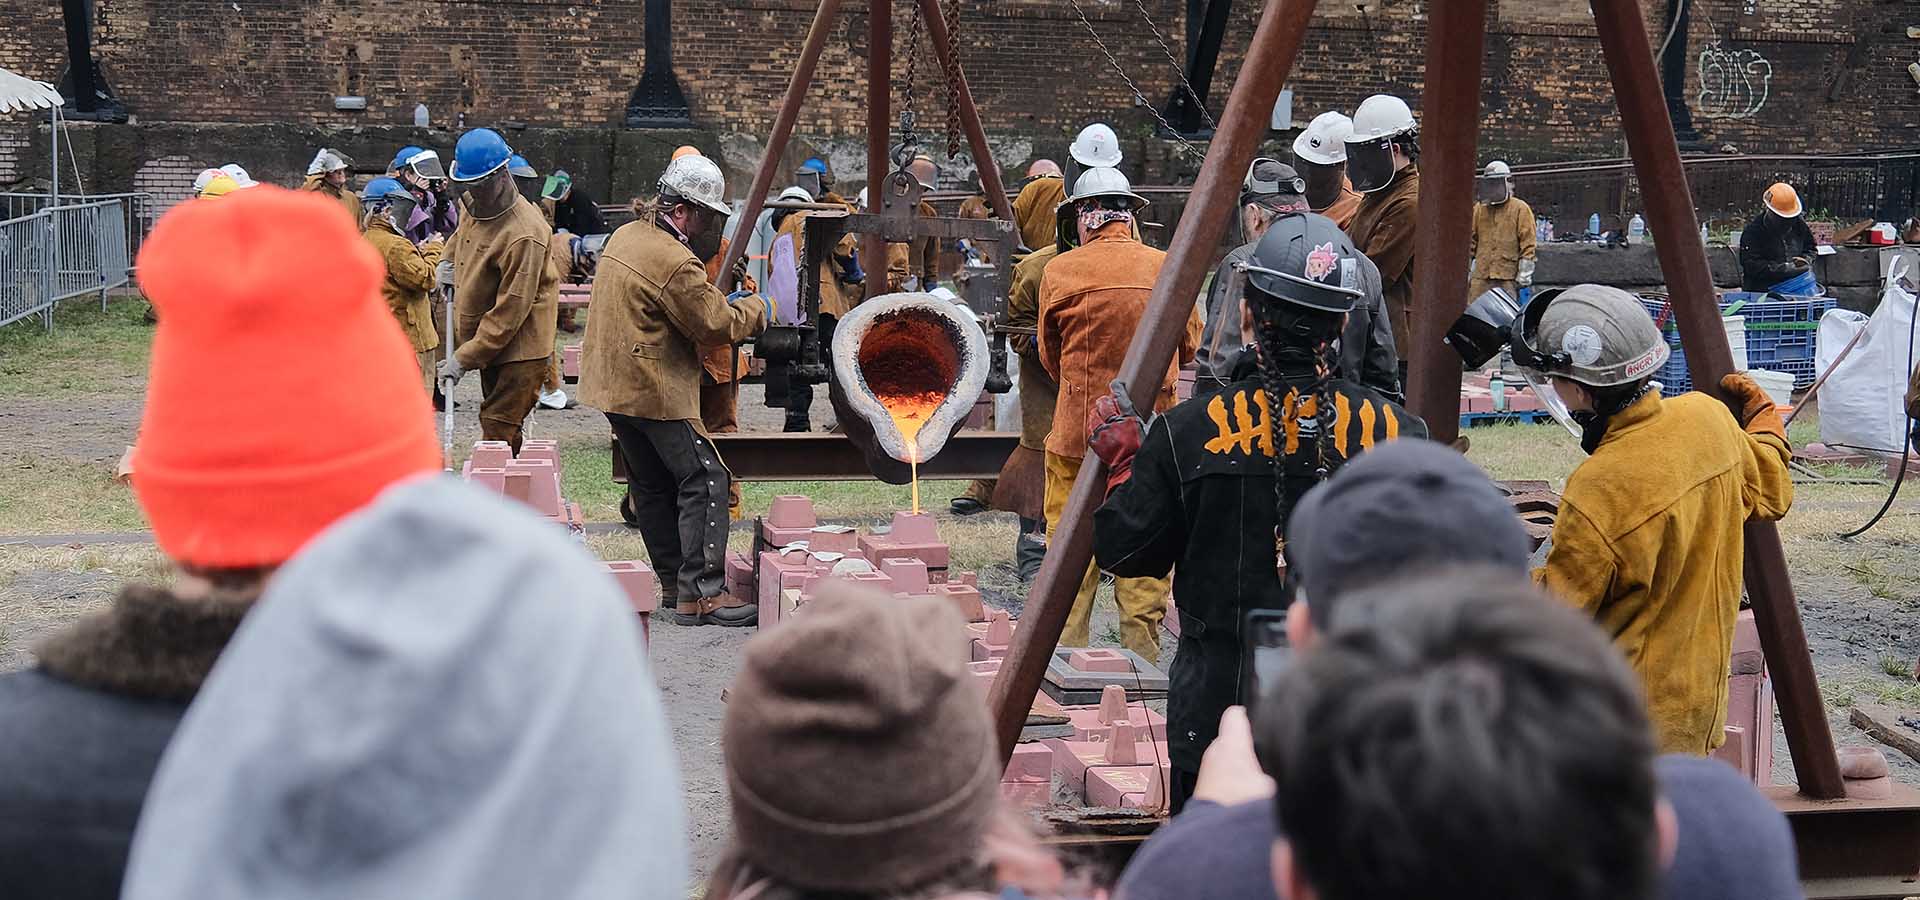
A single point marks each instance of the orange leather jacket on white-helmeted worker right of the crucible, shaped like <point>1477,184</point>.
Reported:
<point>1092,302</point>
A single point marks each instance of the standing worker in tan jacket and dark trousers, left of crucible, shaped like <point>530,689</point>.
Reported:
<point>654,312</point>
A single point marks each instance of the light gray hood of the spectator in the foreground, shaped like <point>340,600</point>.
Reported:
<point>439,698</point>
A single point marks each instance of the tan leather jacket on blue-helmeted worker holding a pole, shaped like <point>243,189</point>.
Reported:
<point>506,291</point>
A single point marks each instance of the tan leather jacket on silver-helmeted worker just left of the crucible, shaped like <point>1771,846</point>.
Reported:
<point>652,314</point>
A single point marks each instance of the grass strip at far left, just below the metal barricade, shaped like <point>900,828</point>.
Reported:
<point>89,352</point>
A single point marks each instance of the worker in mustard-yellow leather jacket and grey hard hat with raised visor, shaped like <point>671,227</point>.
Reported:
<point>1648,536</point>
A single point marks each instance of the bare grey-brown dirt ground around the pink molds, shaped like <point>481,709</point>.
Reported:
<point>1860,600</point>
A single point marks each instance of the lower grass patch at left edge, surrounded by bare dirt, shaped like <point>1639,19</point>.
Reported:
<point>62,498</point>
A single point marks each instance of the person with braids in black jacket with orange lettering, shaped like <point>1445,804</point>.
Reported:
<point>1207,488</point>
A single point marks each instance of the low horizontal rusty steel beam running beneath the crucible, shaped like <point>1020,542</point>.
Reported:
<point>832,458</point>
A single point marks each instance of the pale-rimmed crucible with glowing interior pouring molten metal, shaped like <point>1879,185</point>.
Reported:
<point>905,348</point>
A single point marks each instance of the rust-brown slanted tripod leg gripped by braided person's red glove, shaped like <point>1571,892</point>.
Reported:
<point>1270,60</point>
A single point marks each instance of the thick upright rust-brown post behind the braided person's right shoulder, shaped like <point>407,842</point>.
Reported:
<point>1451,131</point>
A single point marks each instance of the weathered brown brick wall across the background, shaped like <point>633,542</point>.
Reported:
<point>1767,76</point>
